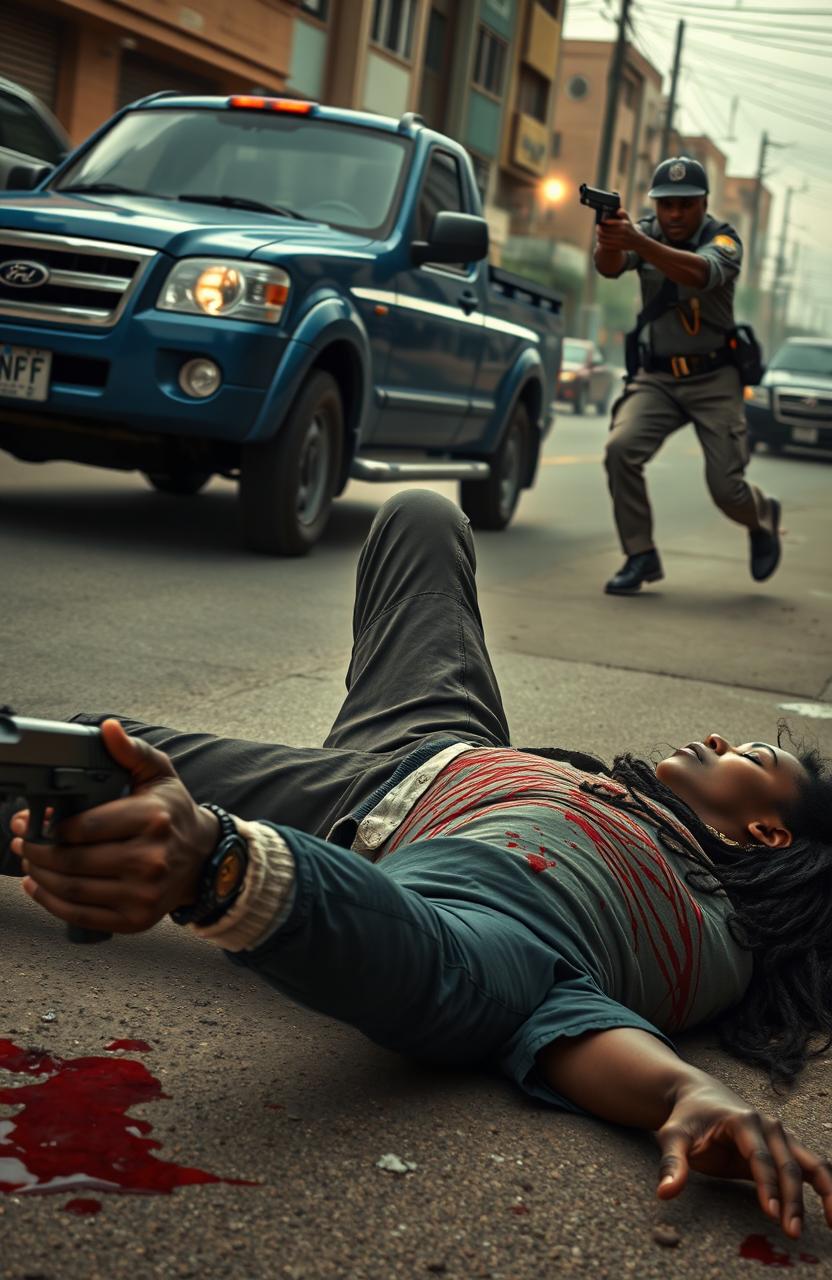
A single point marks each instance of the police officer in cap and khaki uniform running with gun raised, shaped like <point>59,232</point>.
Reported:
<point>680,368</point>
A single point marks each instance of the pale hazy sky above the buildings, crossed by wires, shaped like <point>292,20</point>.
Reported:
<point>776,60</point>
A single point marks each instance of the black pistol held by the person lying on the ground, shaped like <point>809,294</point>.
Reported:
<point>62,767</point>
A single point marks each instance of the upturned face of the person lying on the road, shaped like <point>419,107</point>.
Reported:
<point>743,792</point>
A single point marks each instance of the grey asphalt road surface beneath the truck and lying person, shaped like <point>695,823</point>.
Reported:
<point>118,598</point>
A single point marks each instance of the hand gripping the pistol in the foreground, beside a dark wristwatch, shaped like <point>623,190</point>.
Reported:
<point>122,866</point>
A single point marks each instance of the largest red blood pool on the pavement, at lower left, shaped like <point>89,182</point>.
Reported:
<point>72,1128</point>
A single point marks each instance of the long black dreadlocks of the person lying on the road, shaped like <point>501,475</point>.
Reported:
<point>781,907</point>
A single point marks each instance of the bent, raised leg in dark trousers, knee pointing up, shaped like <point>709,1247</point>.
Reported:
<point>419,666</point>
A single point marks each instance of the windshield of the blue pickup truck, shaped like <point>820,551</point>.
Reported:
<point>332,173</point>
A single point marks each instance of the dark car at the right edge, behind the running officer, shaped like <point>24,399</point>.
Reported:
<point>793,405</point>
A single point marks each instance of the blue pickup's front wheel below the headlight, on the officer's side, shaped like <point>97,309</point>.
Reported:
<point>287,484</point>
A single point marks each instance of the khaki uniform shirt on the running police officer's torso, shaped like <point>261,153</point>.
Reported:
<point>670,335</point>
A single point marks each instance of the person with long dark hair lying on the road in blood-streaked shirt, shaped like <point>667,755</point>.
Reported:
<point>468,903</point>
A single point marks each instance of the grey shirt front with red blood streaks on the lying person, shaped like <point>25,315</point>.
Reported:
<point>478,792</point>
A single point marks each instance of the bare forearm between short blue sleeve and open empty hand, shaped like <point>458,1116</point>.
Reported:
<point>625,1076</point>
